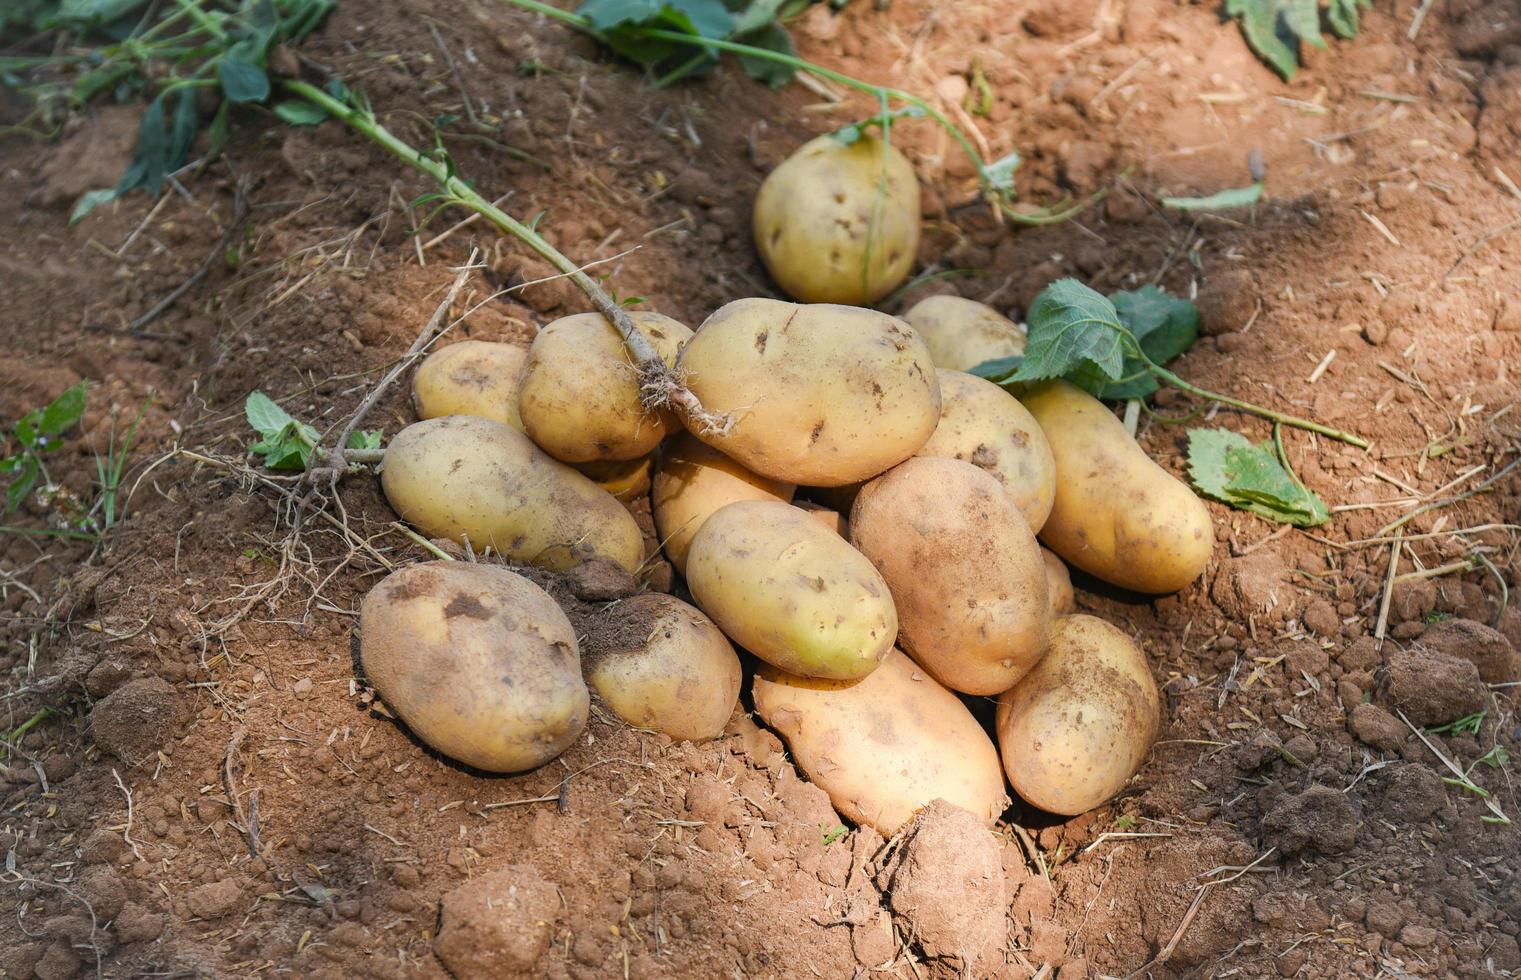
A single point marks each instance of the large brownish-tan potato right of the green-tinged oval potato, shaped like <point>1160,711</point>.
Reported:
<point>964,568</point>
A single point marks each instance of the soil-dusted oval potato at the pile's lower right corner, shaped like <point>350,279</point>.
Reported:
<point>1082,722</point>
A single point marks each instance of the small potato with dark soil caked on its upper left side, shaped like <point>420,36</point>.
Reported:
<point>664,666</point>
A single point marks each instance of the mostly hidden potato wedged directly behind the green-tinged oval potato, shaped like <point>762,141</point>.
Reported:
<point>693,482</point>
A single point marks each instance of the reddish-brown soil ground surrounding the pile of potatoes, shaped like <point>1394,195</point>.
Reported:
<point>212,794</point>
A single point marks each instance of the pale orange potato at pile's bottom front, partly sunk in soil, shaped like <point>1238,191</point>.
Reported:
<point>884,746</point>
